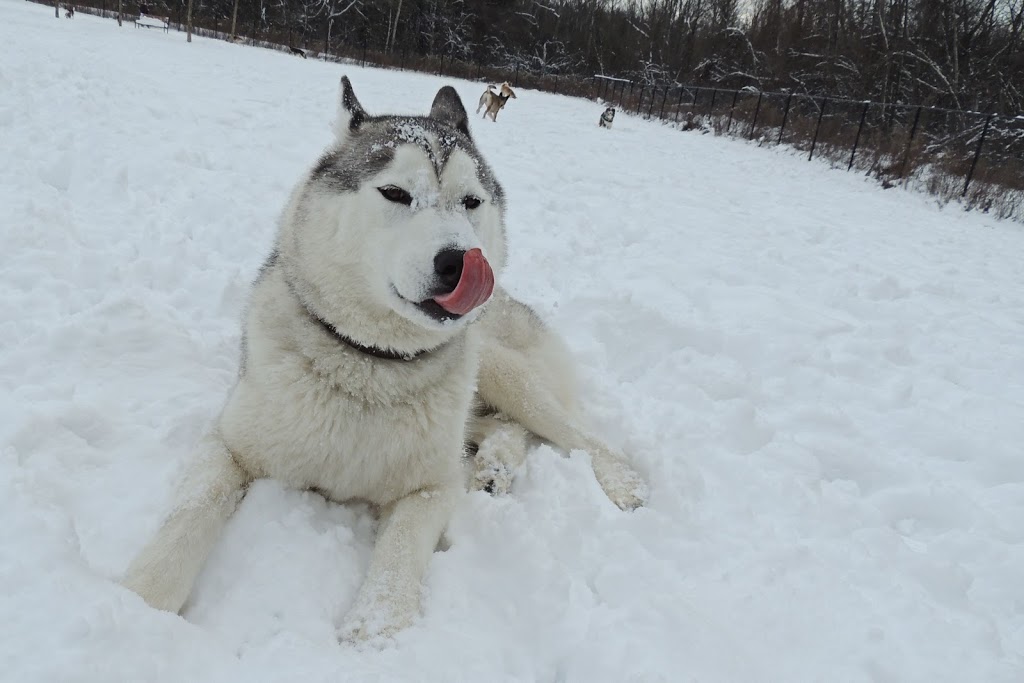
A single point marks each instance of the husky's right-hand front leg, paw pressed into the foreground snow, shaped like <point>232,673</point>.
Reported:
<point>407,537</point>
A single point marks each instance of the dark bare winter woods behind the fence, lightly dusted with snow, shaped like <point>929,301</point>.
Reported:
<point>953,54</point>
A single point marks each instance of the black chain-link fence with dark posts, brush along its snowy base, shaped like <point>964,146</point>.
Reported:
<point>955,155</point>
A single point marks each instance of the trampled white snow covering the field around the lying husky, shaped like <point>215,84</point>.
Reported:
<point>823,381</point>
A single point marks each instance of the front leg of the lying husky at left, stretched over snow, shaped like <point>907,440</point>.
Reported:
<point>164,572</point>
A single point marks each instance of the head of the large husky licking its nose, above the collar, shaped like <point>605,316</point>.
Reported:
<point>396,236</point>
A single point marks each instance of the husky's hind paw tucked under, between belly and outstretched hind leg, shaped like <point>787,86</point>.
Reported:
<point>501,449</point>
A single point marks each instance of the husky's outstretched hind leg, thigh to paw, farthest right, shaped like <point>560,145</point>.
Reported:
<point>510,383</point>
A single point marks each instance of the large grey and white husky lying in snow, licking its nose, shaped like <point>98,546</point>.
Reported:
<point>376,345</point>
